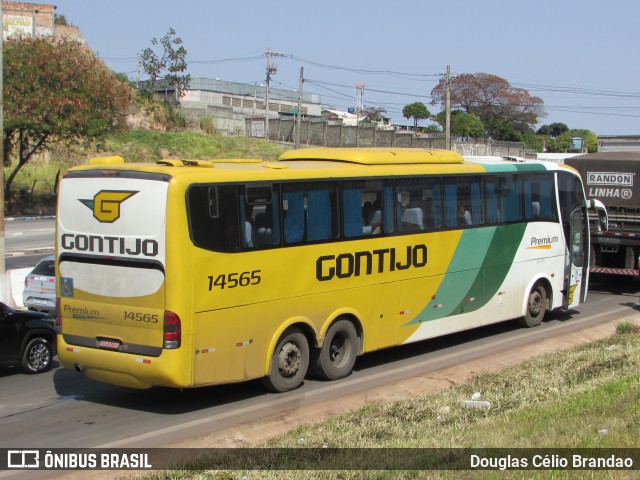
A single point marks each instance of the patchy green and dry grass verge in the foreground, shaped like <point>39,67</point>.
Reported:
<point>586,397</point>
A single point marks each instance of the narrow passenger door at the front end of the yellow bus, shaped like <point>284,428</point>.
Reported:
<point>576,276</point>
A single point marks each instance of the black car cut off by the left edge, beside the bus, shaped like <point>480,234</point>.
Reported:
<point>29,337</point>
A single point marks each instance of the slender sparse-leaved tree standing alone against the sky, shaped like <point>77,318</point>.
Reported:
<point>172,59</point>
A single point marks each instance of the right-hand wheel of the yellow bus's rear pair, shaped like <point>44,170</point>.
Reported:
<point>338,353</point>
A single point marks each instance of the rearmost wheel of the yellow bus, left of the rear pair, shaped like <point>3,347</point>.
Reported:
<point>289,362</point>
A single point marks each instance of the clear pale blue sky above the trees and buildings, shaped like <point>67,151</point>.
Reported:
<point>581,57</point>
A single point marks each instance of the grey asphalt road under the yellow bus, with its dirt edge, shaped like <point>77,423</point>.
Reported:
<point>64,409</point>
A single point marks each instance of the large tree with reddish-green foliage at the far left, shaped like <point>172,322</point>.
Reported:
<point>56,92</point>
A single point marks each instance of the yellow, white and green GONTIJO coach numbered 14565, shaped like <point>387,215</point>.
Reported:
<point>192,273</point>
